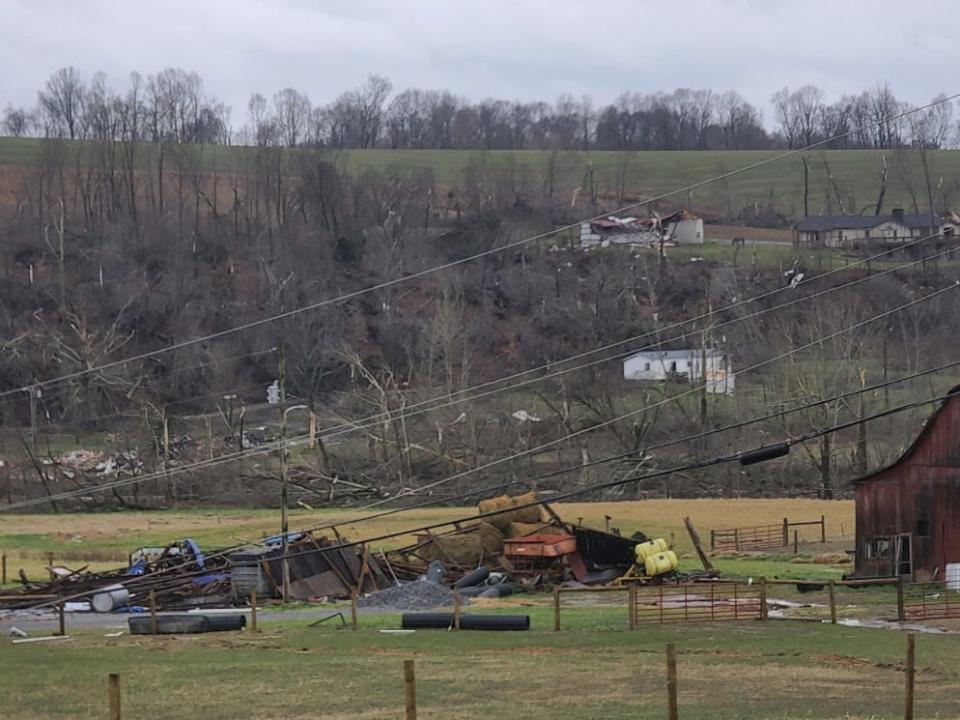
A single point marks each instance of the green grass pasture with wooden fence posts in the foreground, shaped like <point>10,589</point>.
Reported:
<point>595,669</point>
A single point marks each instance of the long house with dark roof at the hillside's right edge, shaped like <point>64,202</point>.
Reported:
<point>850,231</point>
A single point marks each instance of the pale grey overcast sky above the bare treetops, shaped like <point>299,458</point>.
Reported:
<point>509,49</point>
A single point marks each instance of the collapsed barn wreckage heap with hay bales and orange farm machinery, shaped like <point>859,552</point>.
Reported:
<point>513,544</point>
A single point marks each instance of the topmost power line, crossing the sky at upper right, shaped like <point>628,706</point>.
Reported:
<point>455,263</point>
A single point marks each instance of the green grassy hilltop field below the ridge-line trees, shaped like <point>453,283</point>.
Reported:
<point>627,175</point>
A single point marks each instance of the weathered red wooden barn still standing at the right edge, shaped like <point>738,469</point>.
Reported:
<point>908,514</point>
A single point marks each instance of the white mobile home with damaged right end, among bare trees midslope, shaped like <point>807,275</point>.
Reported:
<point>660,365</point>
